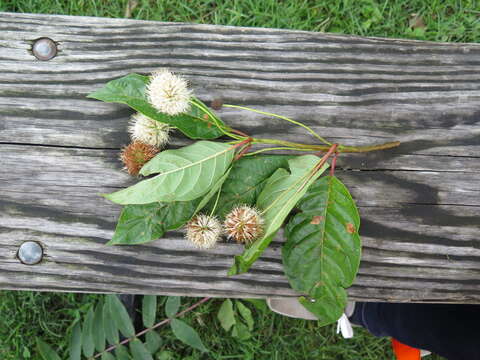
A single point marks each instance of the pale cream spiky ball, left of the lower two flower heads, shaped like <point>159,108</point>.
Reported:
<point>204,231</point>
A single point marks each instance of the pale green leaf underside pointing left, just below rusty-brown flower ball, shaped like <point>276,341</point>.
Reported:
<point>185,174</point>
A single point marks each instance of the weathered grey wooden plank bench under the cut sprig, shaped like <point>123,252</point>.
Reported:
<point>420,202</point>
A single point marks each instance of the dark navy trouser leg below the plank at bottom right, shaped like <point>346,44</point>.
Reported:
<point>452,331</point>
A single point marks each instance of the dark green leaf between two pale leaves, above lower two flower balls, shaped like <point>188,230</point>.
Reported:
<point>246,180</point>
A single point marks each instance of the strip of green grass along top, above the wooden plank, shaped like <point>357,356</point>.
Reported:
<point>445,20</point>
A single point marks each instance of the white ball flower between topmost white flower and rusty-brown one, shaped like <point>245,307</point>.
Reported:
<point>149,131</point>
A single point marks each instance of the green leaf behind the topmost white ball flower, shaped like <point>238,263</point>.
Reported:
<point>130,90</point>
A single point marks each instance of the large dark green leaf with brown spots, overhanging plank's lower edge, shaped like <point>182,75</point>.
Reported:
<point>322,253</point>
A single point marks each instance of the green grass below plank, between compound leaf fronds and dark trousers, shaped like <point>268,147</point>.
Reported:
<point>275,337</point>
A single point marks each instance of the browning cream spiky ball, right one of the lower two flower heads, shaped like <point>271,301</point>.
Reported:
<point>244,224</point>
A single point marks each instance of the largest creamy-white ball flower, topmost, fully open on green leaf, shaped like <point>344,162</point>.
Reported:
<point>168,93</point>
